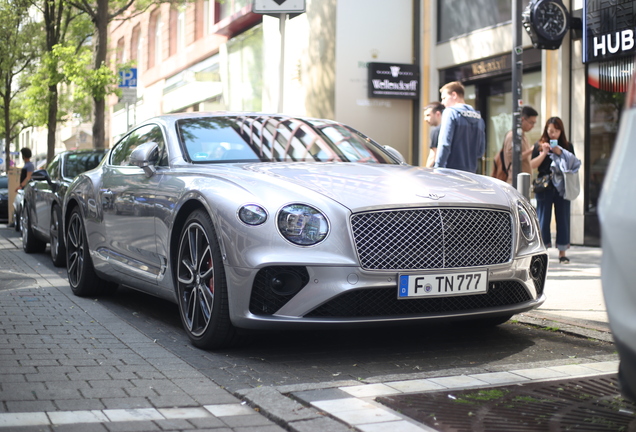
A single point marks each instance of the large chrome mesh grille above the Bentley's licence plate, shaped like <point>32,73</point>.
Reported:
<point>432,238</point>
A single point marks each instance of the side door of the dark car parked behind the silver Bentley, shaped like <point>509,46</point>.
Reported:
<point>43,194</point>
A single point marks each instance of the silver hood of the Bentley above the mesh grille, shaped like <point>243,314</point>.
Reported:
<point>366,186</point>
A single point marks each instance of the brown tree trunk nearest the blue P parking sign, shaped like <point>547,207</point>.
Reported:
<point>101,49</point>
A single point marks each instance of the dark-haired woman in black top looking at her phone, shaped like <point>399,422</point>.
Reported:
<point>553,141</point>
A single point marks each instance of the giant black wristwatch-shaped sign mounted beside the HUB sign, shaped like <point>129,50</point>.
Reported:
<point>547,22</point>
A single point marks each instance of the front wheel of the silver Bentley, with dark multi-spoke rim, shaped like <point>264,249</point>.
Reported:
<point>201,285</point>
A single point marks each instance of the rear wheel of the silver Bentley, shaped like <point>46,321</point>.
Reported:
<point>79,265</point>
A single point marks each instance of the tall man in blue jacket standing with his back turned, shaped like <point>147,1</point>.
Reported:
<point>462,135</point>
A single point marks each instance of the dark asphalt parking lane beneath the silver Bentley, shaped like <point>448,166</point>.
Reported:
<point>286,358</point>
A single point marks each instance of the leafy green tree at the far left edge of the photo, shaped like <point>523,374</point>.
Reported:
<point>18,52</point>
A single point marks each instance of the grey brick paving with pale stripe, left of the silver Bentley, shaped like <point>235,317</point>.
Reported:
<point>67,363</point>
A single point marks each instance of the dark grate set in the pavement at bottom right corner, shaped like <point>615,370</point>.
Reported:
<point>581,404</point>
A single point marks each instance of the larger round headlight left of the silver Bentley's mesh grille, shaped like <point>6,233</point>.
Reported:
<point>302,224</point>
